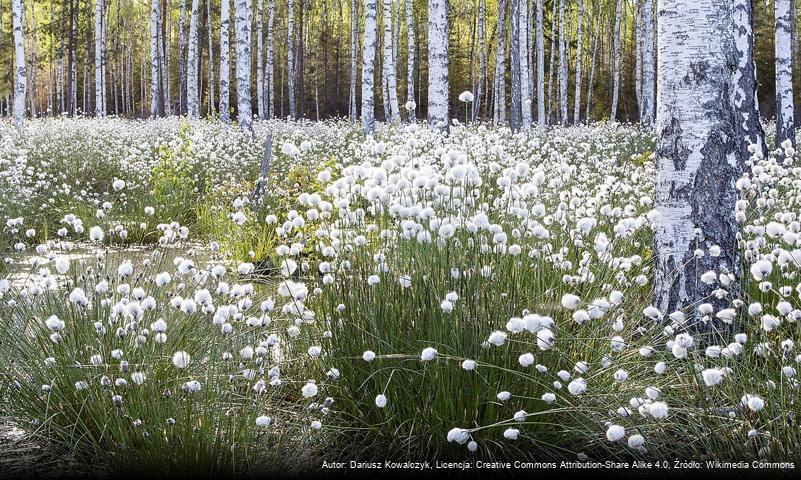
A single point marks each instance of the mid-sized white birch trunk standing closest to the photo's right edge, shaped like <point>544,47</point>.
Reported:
<point>785,123</point>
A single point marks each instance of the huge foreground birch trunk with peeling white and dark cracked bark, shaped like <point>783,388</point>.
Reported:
<point>695,191</point>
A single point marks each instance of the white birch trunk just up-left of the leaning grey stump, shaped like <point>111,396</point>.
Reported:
<point>242,22</point>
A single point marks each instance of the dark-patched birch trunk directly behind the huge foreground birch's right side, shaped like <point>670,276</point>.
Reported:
<point>745,86</point>
